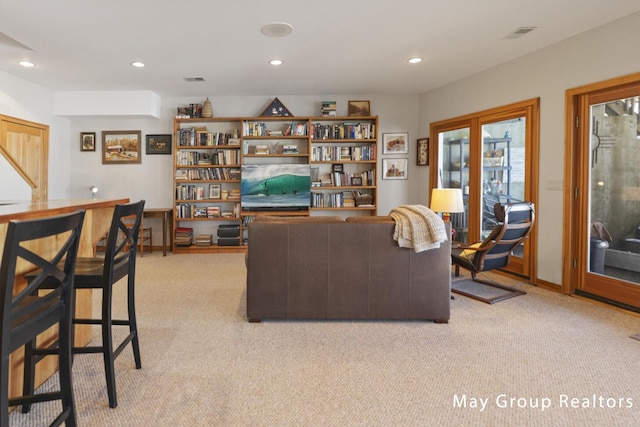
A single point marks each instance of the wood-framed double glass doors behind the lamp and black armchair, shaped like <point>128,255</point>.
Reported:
<point>492,156</point>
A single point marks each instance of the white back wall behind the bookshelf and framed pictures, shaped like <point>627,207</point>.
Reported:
<point>152,179</point>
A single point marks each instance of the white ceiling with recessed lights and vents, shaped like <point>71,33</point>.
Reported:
<point>337,47</point>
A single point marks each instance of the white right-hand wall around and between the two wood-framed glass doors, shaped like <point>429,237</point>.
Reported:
<point>600,54</point>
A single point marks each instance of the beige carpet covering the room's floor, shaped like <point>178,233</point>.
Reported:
<point>204,365</point>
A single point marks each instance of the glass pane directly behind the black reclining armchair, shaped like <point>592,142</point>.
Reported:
<point>503,170</point>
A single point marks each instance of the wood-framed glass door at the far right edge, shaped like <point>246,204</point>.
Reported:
<point>606,194</point>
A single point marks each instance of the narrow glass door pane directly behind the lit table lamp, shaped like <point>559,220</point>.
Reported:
<point>454,146</point>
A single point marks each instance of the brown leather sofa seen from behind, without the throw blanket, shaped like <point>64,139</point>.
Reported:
<point>329,268</point>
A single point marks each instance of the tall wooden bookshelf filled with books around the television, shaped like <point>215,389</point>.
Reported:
<point>321,142</point>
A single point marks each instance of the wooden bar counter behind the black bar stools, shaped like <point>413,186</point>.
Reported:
<point>96,223</point>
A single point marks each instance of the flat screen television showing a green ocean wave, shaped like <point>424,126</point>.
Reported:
<point>275,187</point>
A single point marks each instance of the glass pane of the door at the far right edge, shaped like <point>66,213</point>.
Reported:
<point>614,190</point>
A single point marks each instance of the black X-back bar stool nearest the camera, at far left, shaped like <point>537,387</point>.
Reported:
<point>28,313</point>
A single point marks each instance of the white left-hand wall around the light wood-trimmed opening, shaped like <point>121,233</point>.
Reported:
<point>27,101</point>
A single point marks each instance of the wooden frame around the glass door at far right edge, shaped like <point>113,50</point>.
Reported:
<point>576,176</point>
